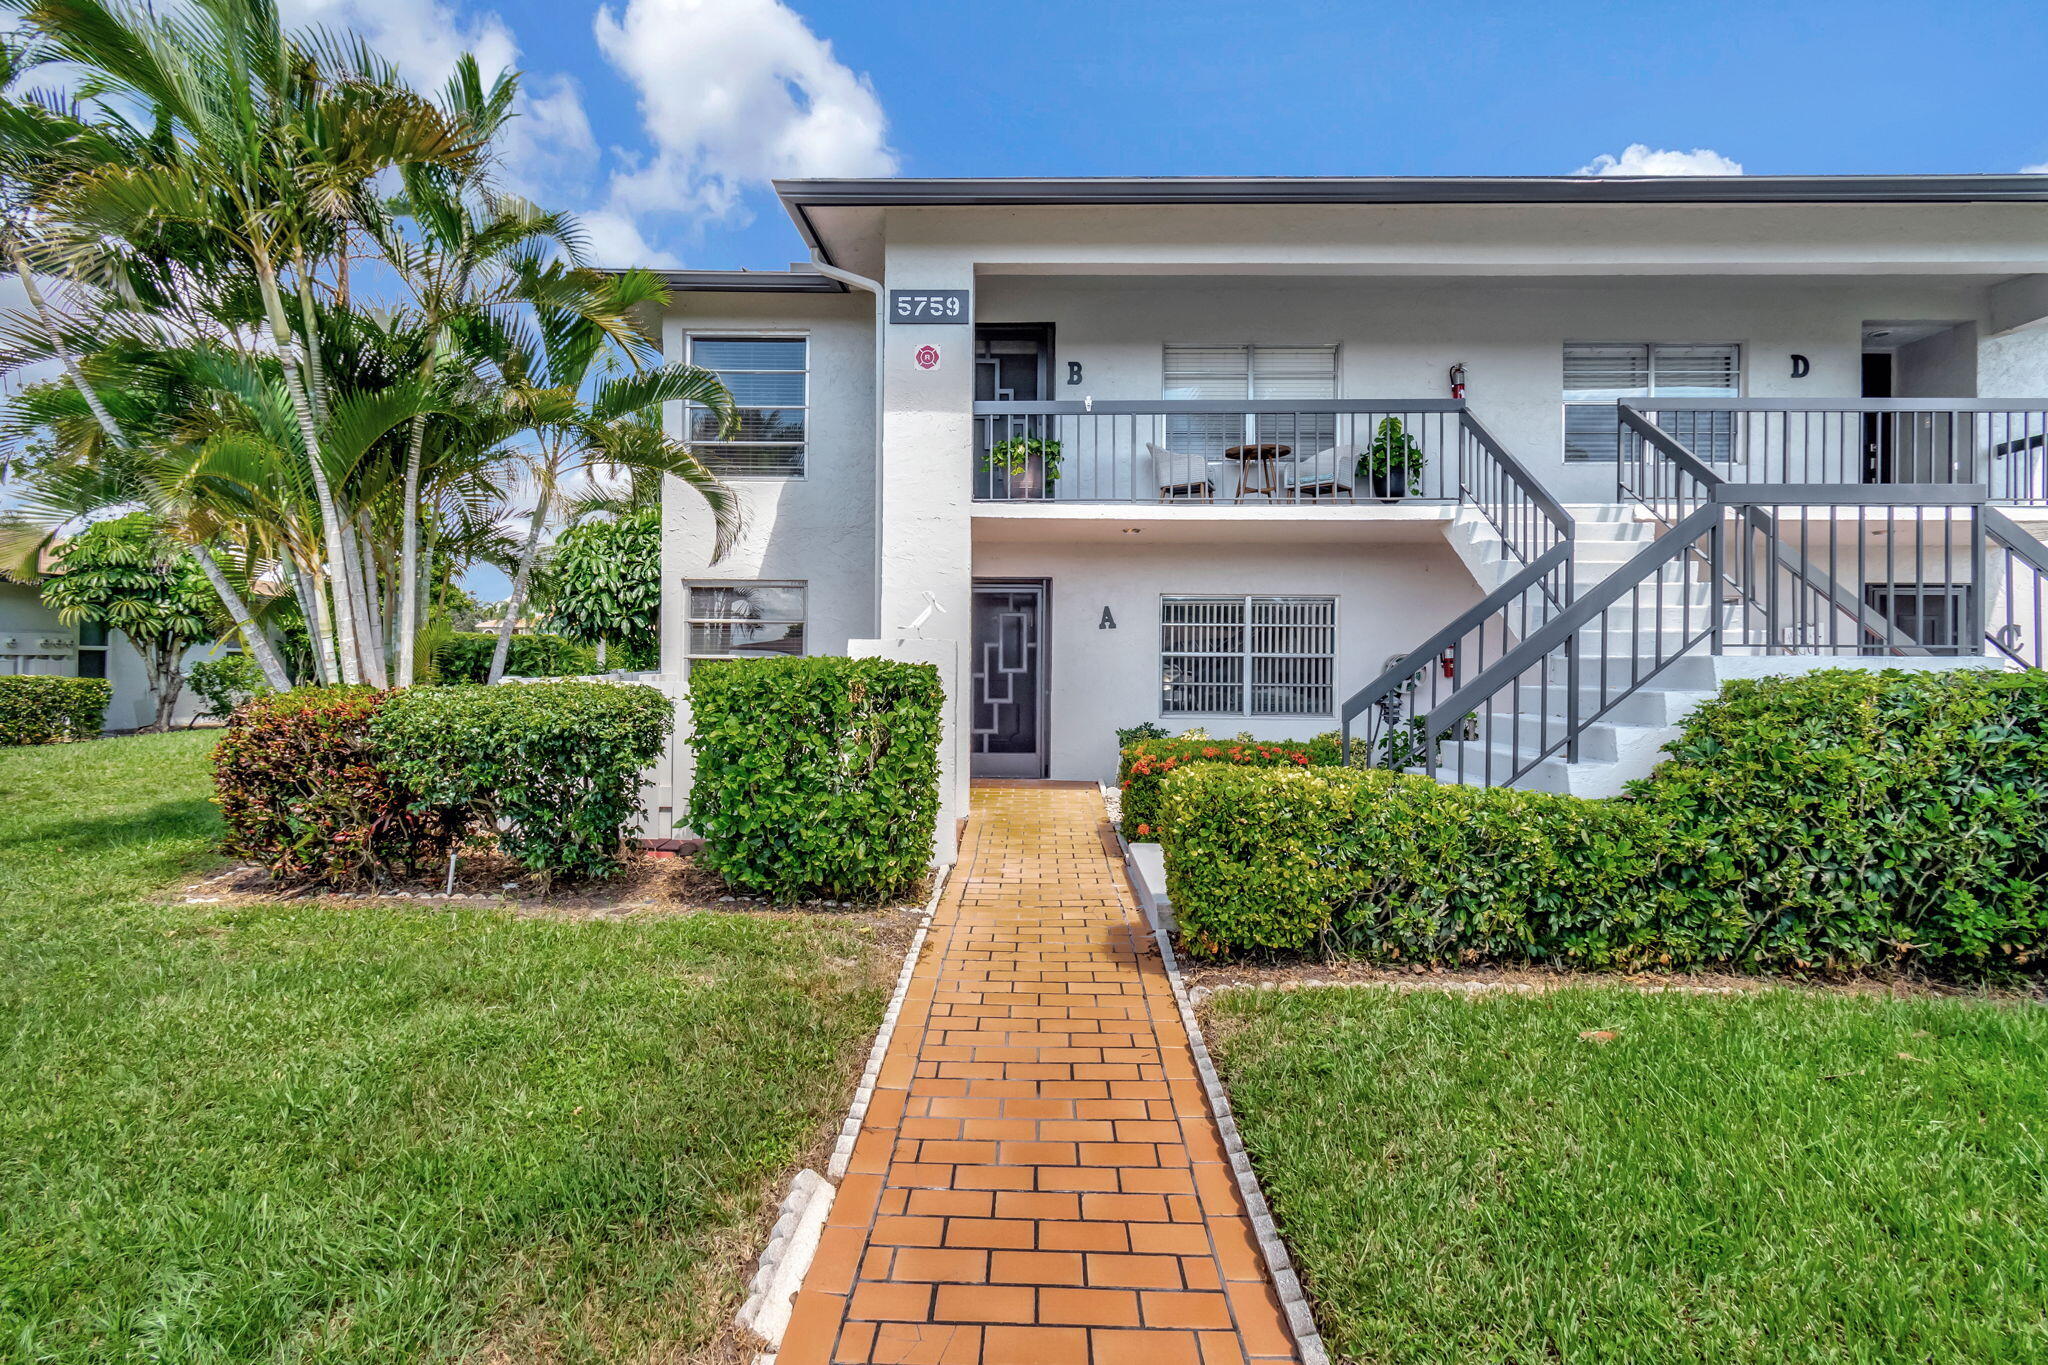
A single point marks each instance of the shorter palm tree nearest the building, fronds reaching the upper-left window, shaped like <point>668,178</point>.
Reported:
<point>591,402</point>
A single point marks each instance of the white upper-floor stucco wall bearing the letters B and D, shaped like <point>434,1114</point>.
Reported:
<point>1398,339</point>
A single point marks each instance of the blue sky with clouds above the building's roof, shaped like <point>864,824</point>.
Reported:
<point>663,120</point>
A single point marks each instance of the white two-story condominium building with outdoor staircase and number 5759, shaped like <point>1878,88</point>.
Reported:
<point>1230,451</point>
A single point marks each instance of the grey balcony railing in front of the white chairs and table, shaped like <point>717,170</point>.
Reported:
<point>1164,451</point>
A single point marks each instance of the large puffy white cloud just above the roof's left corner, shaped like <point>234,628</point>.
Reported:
<point>736,93</point>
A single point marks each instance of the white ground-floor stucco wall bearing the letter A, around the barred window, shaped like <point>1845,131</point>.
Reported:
<point>1392,595</point>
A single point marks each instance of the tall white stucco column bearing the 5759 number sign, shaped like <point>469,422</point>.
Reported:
<point>925,498</point>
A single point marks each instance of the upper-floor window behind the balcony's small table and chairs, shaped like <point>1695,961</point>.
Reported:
<point>1258,373</point>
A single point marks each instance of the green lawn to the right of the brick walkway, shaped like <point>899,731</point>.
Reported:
<point>1762,1178</point>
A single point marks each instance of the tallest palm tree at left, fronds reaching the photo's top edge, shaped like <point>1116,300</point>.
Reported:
<point>265,148</point>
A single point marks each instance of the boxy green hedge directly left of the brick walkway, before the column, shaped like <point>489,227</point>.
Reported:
<point>816,777</point>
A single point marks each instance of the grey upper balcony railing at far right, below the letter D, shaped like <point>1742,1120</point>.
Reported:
<point>2002,445</point>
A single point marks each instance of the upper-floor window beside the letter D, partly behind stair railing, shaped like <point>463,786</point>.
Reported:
<point>1598,376</point>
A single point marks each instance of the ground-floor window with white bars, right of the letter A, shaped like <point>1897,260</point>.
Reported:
<point>1248,656</point>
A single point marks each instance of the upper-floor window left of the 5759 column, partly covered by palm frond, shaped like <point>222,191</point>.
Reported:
<point>769,382</point>
